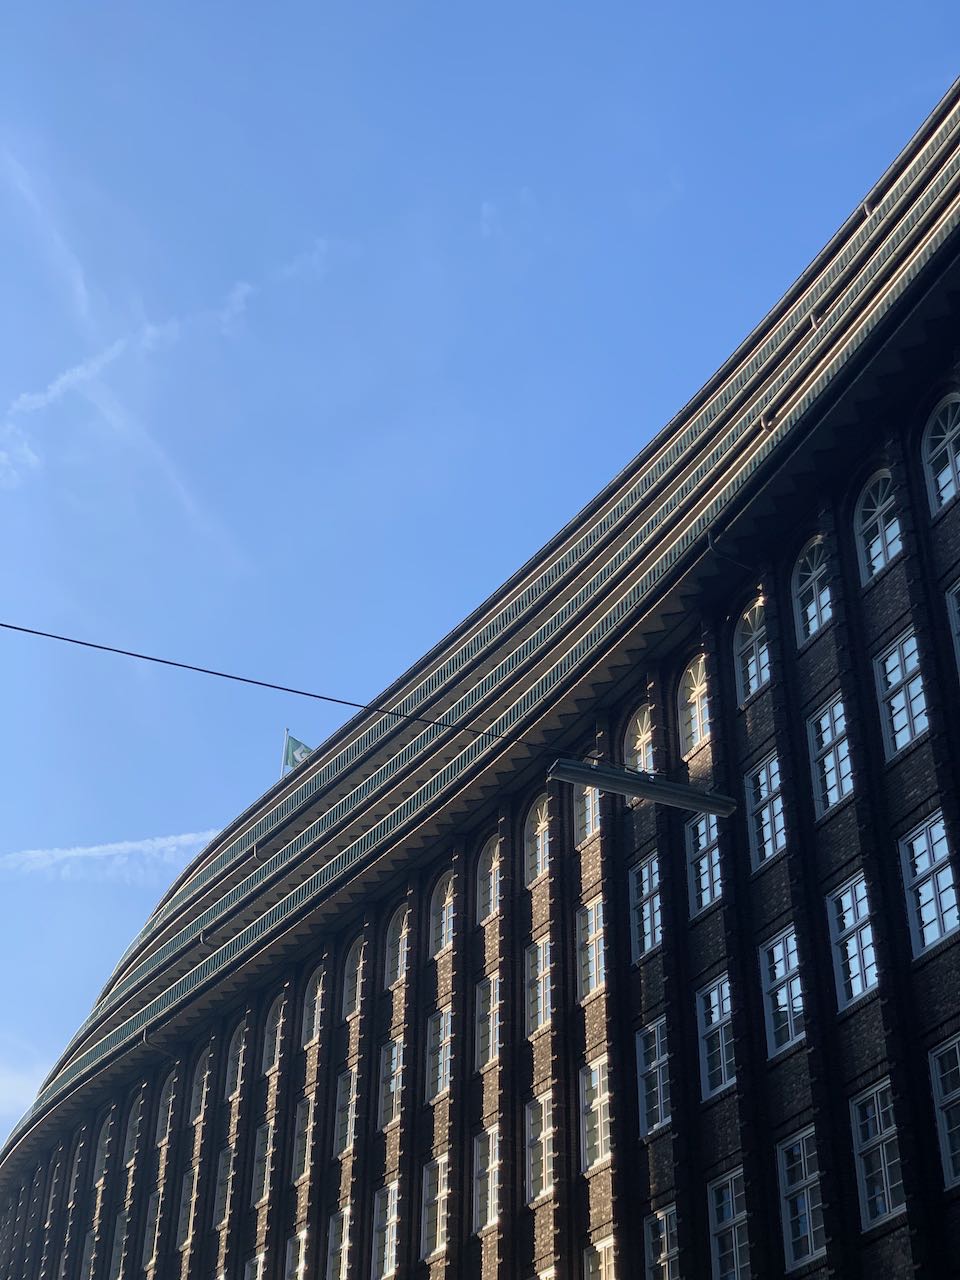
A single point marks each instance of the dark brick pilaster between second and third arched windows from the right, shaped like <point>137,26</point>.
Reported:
<point>883,877</point>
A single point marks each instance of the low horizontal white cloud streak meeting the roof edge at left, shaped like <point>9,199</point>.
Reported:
<point>126,861</point>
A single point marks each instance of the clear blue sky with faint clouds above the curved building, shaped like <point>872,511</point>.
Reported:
<point>317,322</point>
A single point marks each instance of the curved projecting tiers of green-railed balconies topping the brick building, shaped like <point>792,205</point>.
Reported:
<point>380,780</point>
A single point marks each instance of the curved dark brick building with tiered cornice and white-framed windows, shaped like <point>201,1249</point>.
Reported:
<point>422,1012</point>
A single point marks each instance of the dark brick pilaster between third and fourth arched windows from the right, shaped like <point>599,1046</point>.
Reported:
<point>830,1114</point>
